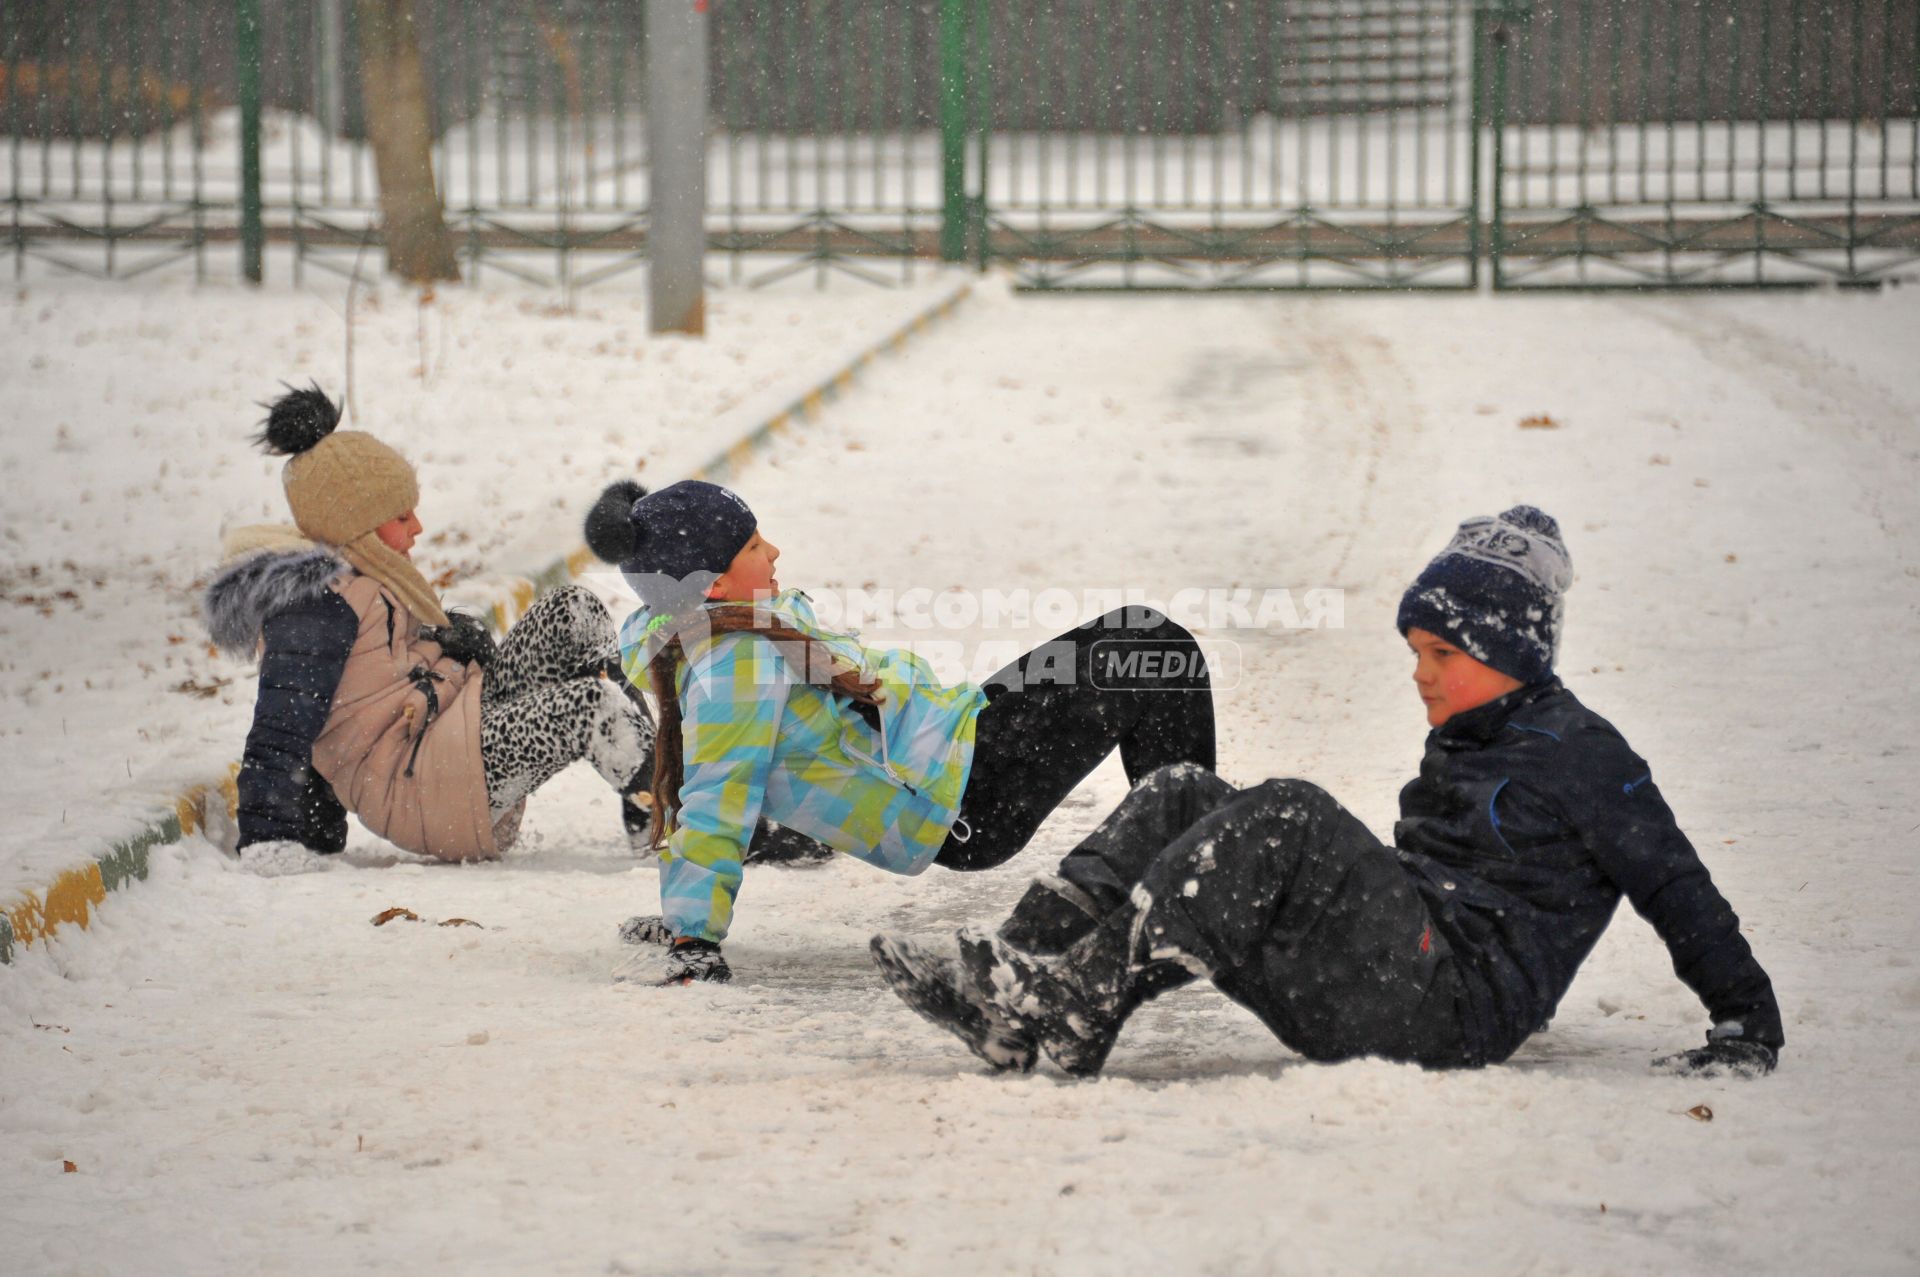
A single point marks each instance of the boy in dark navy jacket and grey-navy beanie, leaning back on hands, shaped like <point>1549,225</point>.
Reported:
<point>1527,825</point>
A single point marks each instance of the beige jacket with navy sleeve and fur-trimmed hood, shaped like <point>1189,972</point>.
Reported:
<point>352,702</point>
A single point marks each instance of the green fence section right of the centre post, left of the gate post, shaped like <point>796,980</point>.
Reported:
<point>1260,145</point>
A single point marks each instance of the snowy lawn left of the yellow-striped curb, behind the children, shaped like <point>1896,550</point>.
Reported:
<point>128,450</point>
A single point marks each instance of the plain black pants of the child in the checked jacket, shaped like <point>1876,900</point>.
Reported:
<point>1132,681</point>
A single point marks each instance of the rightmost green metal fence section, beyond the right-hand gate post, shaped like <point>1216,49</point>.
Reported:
<point>1671,145</point>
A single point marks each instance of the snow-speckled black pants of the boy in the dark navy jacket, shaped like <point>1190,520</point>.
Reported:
<point>1289,905</point>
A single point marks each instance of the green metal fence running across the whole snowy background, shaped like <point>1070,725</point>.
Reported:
<point>1084,143</point>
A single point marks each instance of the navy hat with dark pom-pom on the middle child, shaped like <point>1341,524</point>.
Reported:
<point>673,542</point>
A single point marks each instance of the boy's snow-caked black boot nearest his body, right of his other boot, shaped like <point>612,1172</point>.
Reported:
<point>1070,1005</point>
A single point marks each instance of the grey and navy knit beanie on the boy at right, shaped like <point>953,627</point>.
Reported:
<point>1497,590</point>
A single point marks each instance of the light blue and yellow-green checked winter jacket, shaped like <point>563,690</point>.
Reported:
<point>761,740</point>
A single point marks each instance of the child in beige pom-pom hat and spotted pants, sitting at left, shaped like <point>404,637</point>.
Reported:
<point>375,700</point>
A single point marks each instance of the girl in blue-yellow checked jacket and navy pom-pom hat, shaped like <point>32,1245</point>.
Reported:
<point>769,713</point>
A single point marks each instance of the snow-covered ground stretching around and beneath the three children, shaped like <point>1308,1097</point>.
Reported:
<point>249,1076</point>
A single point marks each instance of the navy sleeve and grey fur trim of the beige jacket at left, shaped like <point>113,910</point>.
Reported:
<point>285,608</point>
